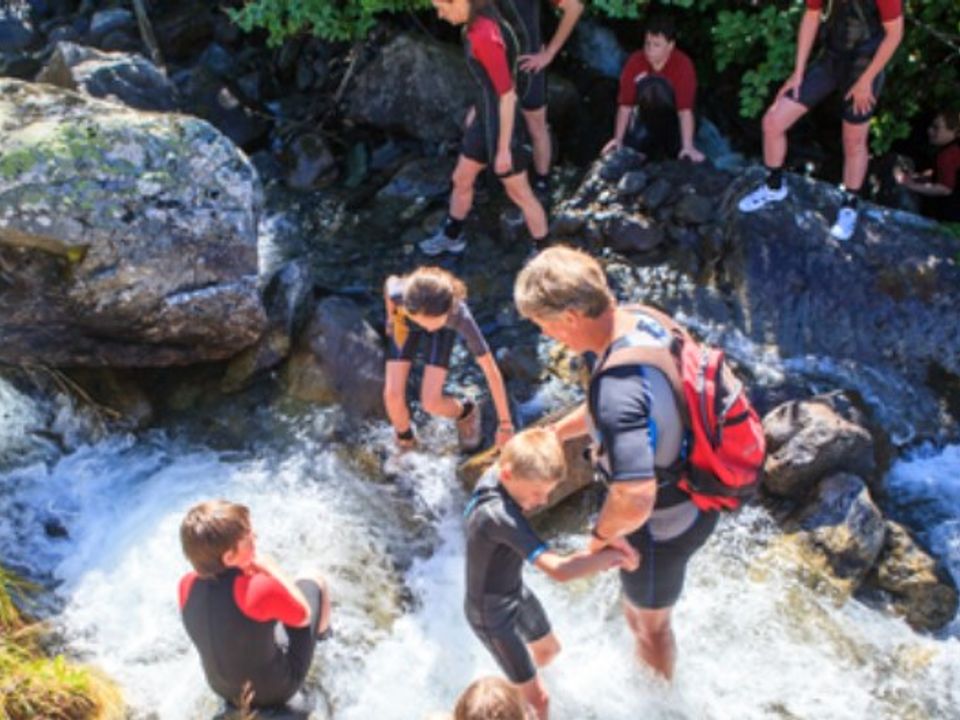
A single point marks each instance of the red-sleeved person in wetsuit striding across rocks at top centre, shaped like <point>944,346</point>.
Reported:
<point>495,134</point>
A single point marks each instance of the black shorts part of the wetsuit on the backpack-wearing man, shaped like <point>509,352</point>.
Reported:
<point>658,582</point>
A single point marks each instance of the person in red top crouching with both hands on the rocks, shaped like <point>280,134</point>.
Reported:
<point>658,89</point>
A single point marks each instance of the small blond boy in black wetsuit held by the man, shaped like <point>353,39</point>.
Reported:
<point>502,611</point>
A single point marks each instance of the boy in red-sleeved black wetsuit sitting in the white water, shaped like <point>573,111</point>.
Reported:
<point>234,601</point>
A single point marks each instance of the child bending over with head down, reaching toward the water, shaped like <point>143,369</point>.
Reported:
<point>428,307</point>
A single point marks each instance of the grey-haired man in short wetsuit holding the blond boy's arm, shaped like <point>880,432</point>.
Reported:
<point>637,431</point>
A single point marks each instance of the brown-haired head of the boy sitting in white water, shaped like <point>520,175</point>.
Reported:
<point>209,530</point>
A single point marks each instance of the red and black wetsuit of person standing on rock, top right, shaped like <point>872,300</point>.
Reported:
<point>852,31</point>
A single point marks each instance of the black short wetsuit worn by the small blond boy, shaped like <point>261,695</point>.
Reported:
<point>503,612</point>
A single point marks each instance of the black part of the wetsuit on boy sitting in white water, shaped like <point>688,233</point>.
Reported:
<point>236,650</point>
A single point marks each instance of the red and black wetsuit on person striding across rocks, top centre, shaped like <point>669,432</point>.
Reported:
<point>491,50</point>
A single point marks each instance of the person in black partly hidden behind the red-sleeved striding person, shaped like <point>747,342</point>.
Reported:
<point>524,17</point>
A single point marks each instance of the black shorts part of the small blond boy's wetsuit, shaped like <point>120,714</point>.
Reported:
<point>507,640</point>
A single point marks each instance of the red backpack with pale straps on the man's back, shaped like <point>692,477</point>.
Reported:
<point>727,446</point>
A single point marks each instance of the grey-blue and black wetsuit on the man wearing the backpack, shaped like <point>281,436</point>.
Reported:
<point>639,433</point>
